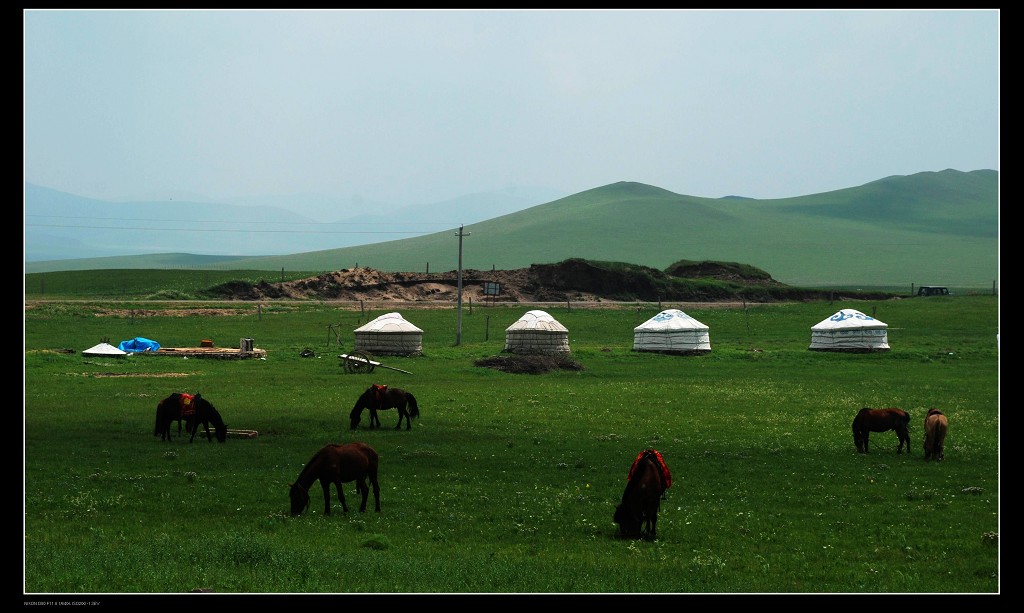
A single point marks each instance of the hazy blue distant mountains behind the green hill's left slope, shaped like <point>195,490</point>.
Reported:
<point>64,227</point>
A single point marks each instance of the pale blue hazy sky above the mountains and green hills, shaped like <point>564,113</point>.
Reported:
<point>412,107</point>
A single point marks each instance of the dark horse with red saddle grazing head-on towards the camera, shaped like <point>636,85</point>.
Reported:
<point>637,514</point>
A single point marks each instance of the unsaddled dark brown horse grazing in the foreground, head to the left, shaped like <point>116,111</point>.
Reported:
<point>338,464</point>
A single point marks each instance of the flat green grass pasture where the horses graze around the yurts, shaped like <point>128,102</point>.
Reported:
<point>507,484</point>
